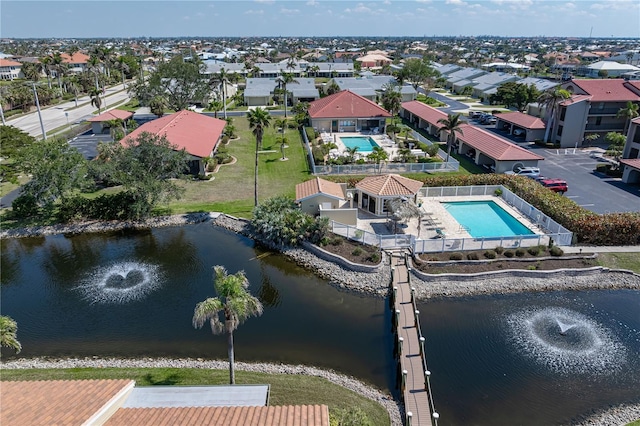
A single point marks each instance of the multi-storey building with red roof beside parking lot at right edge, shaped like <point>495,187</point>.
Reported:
<point>592,109</point>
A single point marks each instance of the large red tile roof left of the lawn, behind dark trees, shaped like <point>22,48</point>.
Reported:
<point>198,134</point>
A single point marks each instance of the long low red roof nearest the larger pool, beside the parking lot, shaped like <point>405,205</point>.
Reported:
<point>493,146</point>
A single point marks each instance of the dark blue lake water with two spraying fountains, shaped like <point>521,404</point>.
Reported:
<point>526,359</point>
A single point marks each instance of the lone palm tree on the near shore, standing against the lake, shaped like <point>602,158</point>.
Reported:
<point>229,309</point>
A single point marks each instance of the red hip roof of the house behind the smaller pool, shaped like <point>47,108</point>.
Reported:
<point>345,104</point>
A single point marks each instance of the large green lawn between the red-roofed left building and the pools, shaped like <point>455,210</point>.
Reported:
<point>232,189</point>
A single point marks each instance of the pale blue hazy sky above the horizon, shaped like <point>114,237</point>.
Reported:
<point>220,18</point>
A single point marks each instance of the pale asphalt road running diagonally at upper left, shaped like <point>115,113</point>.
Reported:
<point>56,116</point>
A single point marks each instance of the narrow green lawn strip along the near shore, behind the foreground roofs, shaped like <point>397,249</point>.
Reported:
<point>286,389</point>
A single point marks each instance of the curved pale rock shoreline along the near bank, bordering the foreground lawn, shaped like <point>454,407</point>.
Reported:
<point>355,385</point>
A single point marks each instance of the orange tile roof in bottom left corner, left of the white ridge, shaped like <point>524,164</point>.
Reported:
<point>56,402</point>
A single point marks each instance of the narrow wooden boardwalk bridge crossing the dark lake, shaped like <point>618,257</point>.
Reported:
<point>416,397</point>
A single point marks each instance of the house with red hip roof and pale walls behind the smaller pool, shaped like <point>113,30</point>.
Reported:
<point>346,111</point>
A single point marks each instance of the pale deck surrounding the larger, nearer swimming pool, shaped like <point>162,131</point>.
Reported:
<point>435,217</point>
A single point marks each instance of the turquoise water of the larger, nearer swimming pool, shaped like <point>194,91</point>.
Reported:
<point>486,219</point>
